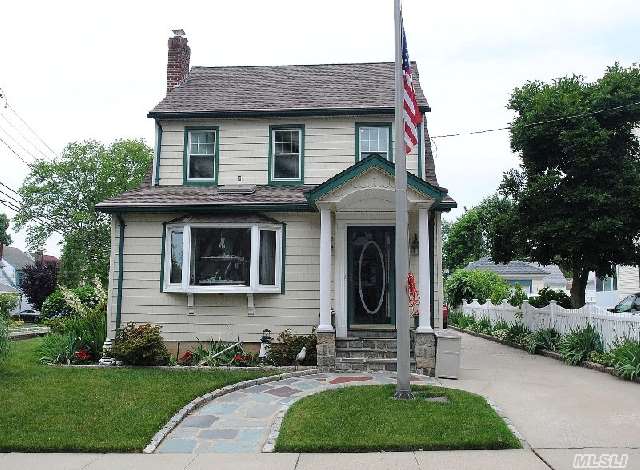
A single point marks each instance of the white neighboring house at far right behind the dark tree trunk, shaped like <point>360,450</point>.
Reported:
<point>607,291</point>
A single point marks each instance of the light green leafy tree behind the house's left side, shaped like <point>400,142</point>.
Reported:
<point>61,195</point>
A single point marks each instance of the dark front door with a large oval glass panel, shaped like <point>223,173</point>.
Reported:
<point>370,275</point>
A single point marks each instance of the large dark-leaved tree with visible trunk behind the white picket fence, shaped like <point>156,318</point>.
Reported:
<point>577,192</point>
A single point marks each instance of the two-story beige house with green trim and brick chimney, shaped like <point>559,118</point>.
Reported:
<point>271,206</point>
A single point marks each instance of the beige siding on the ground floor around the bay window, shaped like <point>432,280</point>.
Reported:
<point>216,316</point>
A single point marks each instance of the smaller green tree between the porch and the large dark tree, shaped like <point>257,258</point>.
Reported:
<point>468,238</point>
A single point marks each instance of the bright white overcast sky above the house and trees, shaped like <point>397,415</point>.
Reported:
<point>81,70</point>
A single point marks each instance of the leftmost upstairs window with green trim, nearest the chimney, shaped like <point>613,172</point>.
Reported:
<point>201,155</point>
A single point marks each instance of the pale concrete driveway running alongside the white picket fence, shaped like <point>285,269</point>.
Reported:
<point>560,410</point>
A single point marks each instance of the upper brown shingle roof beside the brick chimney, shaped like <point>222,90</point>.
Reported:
<point>274,89</point>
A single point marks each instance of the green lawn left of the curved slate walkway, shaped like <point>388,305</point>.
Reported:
<point>45,408</point>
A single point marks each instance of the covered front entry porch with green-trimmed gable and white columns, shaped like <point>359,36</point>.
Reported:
<point>357,264</point>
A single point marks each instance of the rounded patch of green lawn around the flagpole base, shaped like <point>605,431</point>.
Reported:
<point>367,418</point>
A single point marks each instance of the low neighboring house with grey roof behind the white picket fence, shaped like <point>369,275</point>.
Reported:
<point>531,276</point>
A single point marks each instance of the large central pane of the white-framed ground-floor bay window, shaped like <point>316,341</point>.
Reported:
<point>220,256</point>
